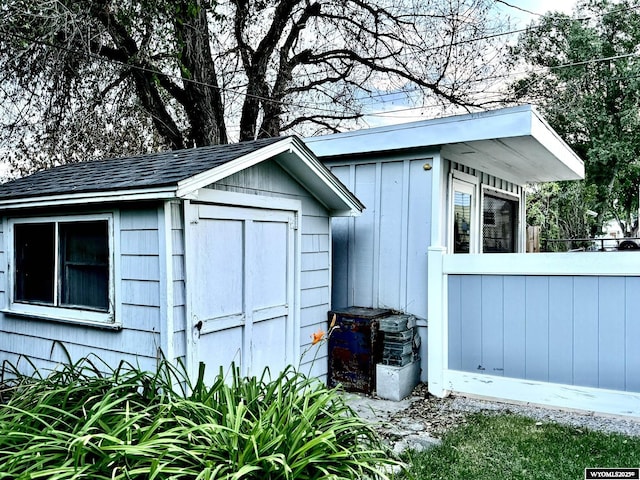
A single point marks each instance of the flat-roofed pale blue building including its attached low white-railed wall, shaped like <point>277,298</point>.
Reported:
<point>443,238</point>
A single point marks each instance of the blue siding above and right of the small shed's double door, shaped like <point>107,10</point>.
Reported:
<point>269,179</point>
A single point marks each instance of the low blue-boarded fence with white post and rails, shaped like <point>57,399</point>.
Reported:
<point>552,329</point>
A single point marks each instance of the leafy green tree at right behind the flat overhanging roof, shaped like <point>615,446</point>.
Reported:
<point>586,78</point>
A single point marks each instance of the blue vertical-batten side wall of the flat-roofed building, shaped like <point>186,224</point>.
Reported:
<point>380,257</point>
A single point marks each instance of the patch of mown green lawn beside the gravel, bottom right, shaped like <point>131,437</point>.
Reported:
<point>491,446</point>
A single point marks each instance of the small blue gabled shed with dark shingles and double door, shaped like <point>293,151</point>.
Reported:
<point>213,254</point>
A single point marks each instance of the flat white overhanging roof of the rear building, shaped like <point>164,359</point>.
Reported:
<point>514,143</point>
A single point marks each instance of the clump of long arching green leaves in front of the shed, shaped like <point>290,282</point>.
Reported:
<point>79,423</point>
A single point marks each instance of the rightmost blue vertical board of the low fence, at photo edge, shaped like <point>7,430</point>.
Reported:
<point>632,335</point>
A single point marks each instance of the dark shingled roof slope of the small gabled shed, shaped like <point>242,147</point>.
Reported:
<point>142,171</point>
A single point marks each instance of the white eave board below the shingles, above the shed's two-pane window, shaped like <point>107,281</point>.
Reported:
<point>159,193</point>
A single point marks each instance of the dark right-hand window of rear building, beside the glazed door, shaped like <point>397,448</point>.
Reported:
<point>500,223</point>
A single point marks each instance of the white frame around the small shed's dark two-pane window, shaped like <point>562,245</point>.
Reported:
<point>58,313</point>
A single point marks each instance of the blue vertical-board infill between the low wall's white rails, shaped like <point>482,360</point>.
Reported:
<point>562,329</point>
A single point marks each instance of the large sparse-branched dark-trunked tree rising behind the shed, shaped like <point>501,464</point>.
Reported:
<point>83,78</point>
